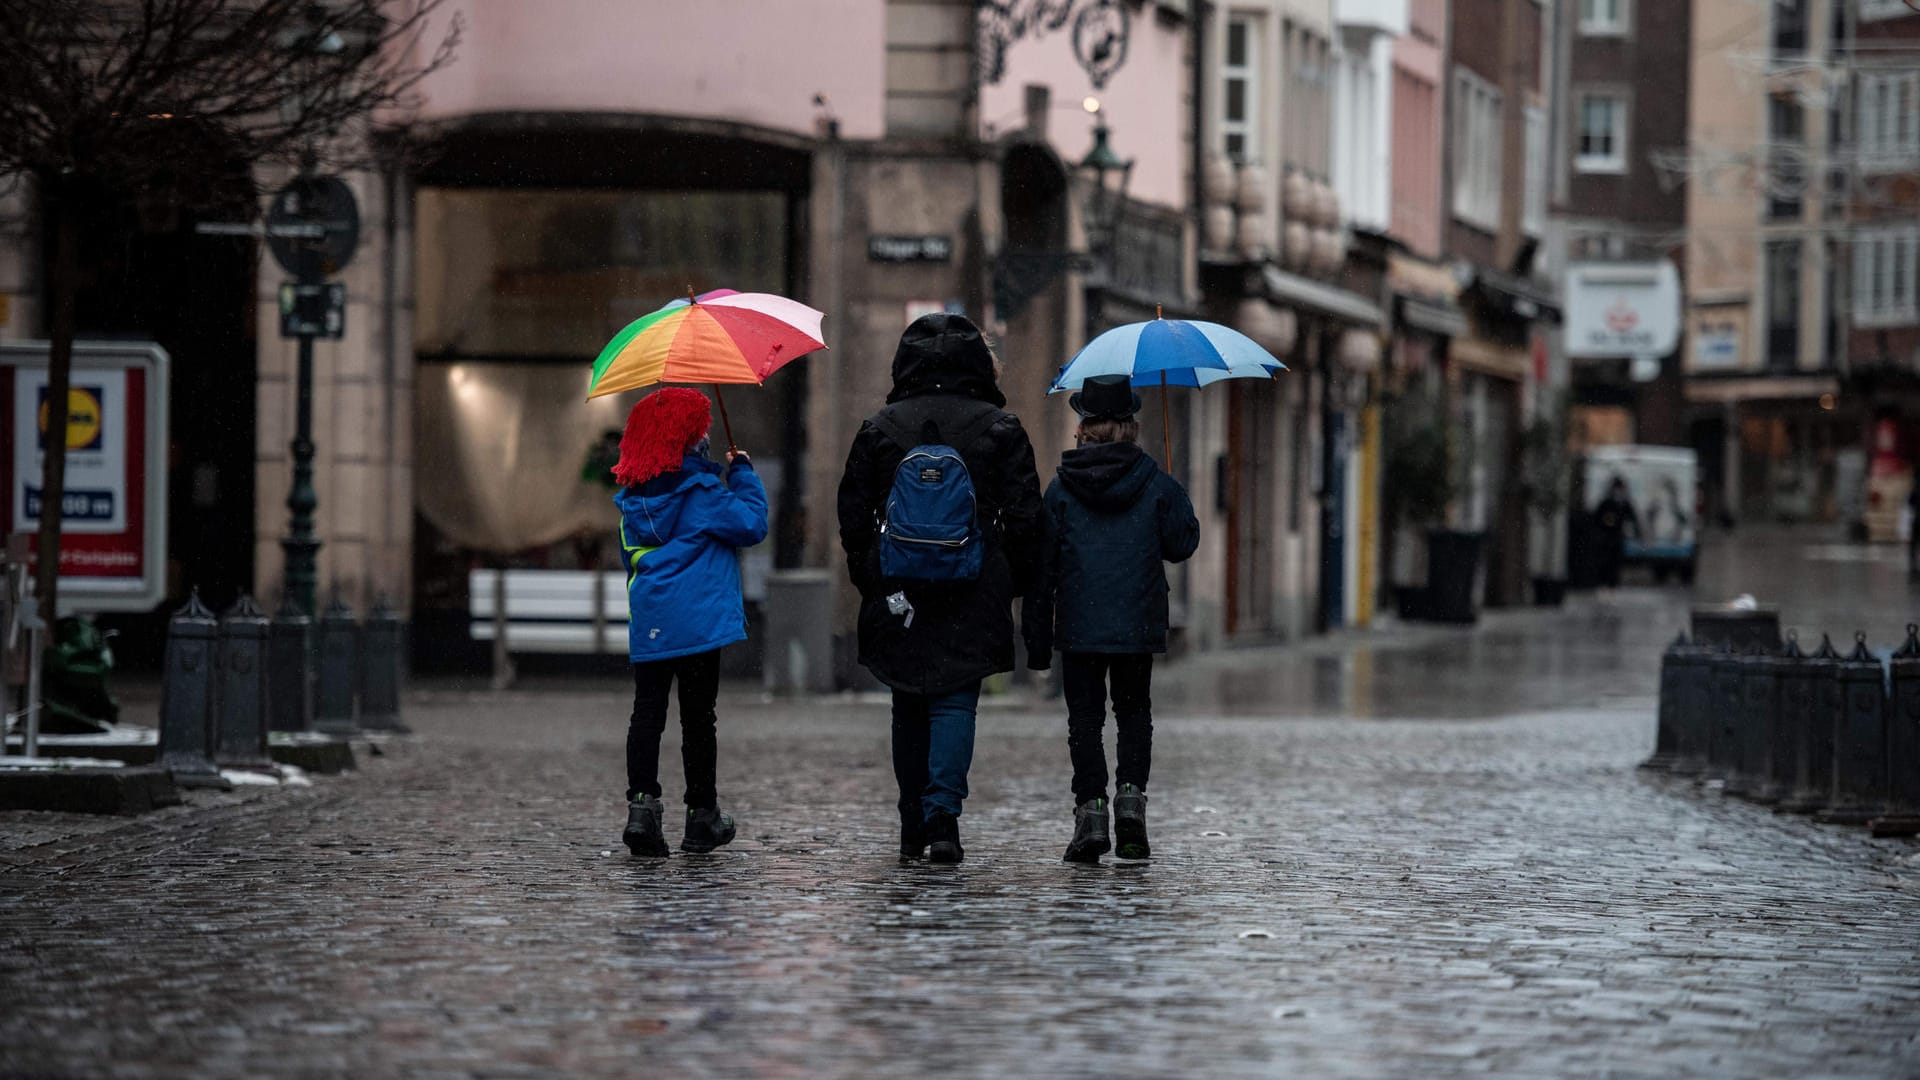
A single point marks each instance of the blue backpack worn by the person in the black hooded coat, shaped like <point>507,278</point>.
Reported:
<point>930,528</point>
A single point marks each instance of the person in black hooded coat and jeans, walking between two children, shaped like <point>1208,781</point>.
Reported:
<point>934,643</point>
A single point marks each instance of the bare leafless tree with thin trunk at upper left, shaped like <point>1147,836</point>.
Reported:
<point>185,97</point>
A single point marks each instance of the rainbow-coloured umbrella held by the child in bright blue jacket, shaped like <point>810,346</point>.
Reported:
<point>715,337</point>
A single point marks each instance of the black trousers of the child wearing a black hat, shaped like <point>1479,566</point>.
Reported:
<point>1086,679</point>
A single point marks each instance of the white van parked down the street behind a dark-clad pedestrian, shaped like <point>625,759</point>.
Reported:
<point>1662,485</point>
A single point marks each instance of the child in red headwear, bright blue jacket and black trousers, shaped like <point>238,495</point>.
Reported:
<point>681,528</point>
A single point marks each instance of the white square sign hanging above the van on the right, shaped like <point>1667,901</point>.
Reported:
<point>1623,310</point>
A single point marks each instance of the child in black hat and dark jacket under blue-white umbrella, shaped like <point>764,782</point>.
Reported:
<point>1113,524</point>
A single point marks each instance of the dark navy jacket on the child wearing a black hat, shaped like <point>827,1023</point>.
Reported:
<point>1113,522</point>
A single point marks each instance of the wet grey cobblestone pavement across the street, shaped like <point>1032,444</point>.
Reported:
<point>1404,854</point>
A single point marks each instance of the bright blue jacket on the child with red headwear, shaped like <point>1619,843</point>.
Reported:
<point>679,537</point>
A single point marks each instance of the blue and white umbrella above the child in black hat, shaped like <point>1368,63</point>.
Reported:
<point>1168,353</point>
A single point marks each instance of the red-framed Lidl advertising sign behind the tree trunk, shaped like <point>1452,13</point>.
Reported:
<point>114,512</point>
